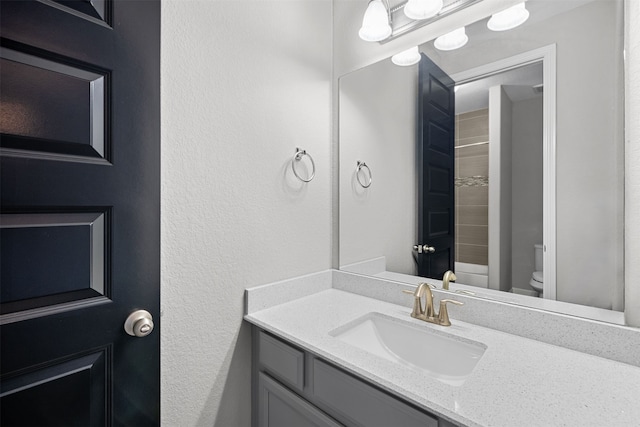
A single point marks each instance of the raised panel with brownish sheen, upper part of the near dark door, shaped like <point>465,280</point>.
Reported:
<point>49,106</point>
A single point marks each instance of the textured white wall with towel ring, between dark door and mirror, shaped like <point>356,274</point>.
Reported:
<point>243,84</point>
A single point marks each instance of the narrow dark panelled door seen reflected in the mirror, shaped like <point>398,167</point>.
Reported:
<point>435,170</point>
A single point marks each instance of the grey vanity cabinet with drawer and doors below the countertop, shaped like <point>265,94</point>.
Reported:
<point>292,387</point>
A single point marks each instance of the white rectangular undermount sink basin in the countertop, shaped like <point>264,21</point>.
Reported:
<point>447,358</point>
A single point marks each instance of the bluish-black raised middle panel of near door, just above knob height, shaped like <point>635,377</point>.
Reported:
<point>51,254</point>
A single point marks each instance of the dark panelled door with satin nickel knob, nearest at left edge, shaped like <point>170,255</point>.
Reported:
<point>79,225</point>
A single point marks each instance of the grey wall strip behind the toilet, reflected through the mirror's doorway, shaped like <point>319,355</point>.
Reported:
<point>526,160</point>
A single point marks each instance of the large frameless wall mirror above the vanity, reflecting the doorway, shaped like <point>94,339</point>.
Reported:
<point>547,208</point>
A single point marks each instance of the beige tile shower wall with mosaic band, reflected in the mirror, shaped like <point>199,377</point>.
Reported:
<point>472,185</point>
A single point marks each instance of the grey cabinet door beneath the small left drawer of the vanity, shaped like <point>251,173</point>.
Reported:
<point>278,407</point>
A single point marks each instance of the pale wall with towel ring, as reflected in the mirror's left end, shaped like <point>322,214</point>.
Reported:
<point>378,127</point>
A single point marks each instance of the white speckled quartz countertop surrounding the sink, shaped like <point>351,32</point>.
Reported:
<point>517,382</point>
